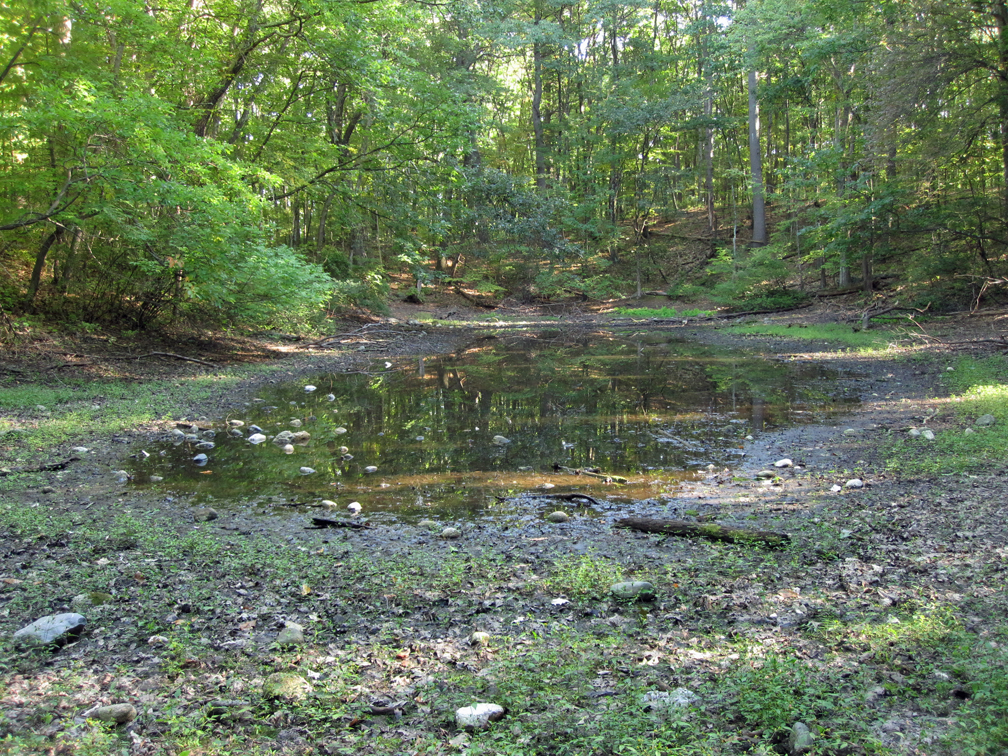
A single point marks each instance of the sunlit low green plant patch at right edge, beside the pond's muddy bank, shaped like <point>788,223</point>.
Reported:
<point>979,388</point>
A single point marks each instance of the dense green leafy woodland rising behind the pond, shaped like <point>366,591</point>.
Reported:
<point>254,162</point>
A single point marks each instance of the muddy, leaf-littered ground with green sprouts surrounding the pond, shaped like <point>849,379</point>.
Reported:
<point>881,626</point>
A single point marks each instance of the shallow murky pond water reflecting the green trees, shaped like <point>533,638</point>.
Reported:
<point>651,409</point>
